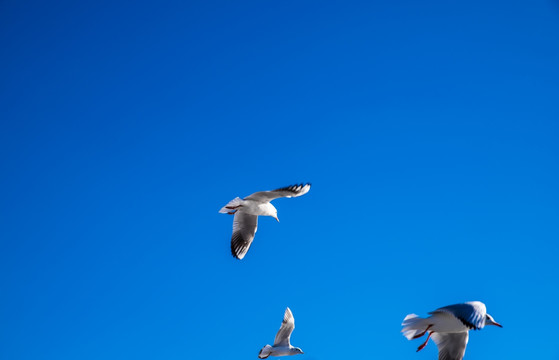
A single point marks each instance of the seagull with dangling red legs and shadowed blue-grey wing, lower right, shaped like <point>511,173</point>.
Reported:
<point>449,326</point>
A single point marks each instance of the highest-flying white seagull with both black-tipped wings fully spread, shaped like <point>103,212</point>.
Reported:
<point>247,211</point>
